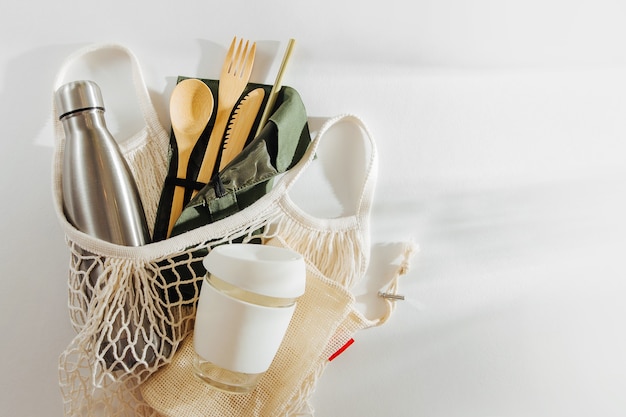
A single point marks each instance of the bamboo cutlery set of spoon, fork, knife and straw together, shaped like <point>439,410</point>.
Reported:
<point>193,105</point>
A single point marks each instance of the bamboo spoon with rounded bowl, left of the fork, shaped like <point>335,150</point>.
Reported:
<point>191,105</point>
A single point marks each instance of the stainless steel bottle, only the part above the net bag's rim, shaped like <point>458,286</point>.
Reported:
<point>100,195</point>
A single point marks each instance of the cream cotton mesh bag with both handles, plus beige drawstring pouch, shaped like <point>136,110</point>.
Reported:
<point>134,321</point>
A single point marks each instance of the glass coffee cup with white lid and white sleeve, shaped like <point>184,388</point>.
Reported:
<point>246,302</point>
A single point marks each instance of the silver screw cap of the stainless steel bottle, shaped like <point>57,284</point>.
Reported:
<point>78,95</point>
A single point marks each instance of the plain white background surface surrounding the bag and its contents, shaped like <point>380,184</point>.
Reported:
<point>501,129</point>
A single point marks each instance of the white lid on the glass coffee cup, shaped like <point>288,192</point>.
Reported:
<point>261,269</point>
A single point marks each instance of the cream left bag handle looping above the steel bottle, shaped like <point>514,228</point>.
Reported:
<point>146,106</point>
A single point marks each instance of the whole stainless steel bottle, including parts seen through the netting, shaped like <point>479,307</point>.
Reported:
<point>100,198</point>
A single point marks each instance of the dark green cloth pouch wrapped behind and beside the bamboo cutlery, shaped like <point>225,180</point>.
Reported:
<point>279,146</point>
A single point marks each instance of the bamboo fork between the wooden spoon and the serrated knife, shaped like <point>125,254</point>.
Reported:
<point>233,80</point>
